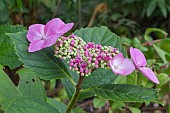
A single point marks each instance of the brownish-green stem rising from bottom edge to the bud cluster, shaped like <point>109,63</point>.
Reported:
<point>76,95</point>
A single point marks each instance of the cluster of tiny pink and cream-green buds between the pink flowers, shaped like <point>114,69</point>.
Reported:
<point>84,58</point>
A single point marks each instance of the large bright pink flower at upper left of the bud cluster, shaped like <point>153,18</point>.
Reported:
<point>42,36</point>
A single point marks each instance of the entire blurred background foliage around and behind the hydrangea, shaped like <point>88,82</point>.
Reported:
<point>144,24</point>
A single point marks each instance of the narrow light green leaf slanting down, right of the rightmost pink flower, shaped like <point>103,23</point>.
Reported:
<point>161,53</point>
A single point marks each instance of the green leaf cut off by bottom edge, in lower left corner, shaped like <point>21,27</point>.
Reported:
<point>29,105</point>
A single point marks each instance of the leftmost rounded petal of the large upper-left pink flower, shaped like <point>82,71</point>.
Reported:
<point>35,32</point>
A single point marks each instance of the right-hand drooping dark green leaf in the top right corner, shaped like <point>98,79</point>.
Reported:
<point>162,6</point>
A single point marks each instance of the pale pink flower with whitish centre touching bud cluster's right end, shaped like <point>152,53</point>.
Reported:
<point>121,65</point>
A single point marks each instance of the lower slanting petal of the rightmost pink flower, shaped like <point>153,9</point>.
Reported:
<point>148,73</point>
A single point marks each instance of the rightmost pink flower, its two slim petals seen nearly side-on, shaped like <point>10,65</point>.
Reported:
<point>139,61</point>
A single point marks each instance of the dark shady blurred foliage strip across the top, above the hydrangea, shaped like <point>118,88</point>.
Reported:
<point>125,17</point>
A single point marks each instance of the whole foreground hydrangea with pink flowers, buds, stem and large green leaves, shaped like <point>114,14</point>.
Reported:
<point>87,61</point>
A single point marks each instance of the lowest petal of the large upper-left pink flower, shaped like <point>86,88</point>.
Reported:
<point>35,46</point>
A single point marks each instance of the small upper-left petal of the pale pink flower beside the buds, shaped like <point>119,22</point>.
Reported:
<point>117,60</point>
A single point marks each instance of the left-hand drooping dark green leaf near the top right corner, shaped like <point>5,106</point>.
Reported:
<point>151,7</point>
